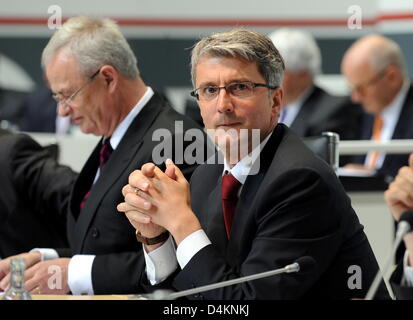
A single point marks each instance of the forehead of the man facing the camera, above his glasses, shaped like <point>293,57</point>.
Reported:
<point>219,70</point>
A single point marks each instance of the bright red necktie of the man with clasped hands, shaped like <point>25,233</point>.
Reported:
<point>230,187</point>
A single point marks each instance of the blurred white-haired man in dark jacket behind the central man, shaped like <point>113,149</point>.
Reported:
<point>307,109</point>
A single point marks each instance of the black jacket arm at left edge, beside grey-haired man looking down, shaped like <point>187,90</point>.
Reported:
<point>33,198</point>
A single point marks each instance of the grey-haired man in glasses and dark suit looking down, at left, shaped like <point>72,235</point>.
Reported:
<point>94,77</point>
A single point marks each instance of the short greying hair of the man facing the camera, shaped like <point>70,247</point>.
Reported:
<point>245,44</point>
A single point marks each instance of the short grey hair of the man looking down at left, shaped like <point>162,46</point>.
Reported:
<point>94,42</point>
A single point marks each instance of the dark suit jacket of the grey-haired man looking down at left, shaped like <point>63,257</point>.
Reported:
<point>99,228</point>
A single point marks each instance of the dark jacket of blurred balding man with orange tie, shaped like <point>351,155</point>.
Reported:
<point>403,130</point>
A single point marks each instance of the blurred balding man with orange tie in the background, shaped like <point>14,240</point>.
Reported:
<point>375,70</point>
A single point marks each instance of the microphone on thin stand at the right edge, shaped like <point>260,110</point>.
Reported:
<point>404,226</point>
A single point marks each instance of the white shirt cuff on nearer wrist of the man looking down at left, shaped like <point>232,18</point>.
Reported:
<point>80,274</point>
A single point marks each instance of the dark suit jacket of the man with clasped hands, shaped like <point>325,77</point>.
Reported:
<point>293,207</point>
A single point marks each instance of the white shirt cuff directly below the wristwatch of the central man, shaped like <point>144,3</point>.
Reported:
<point>161,262</point>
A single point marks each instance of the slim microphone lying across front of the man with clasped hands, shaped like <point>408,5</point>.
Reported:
<point>303,264</point>
